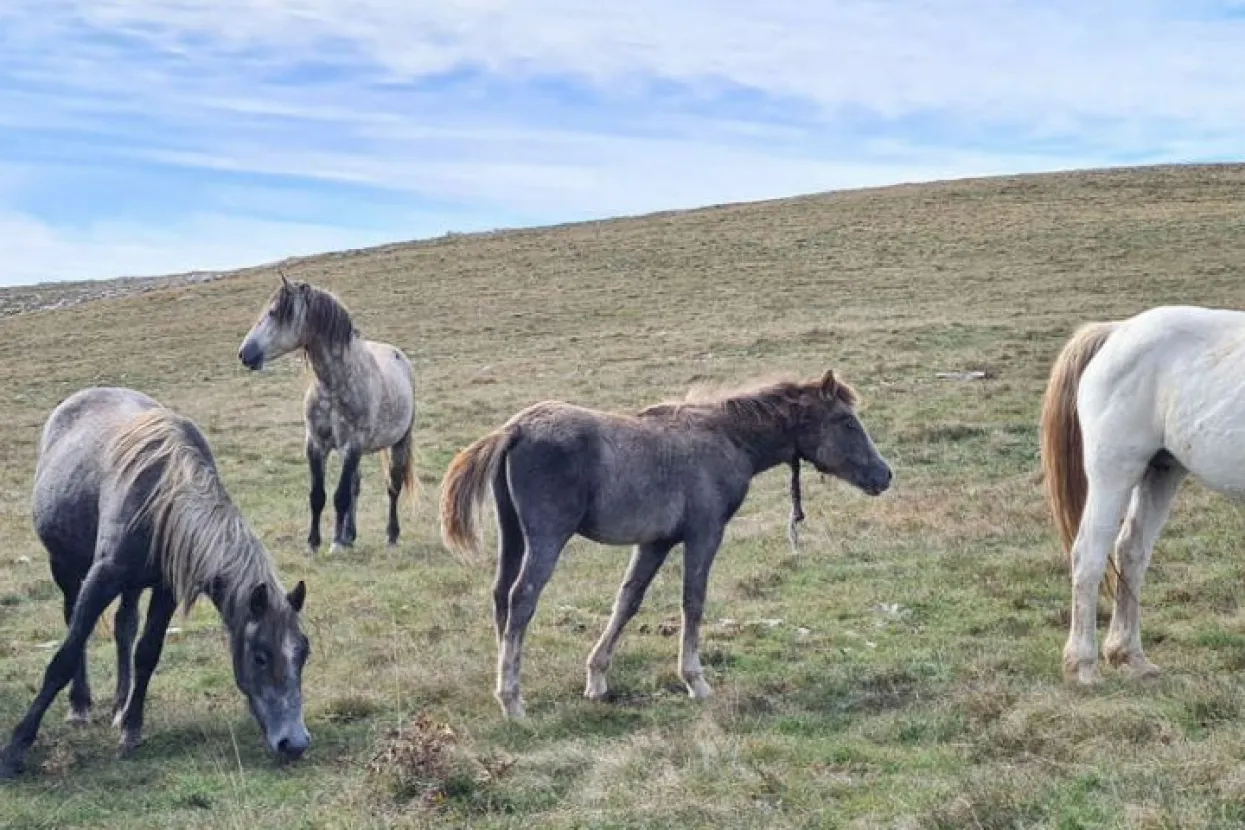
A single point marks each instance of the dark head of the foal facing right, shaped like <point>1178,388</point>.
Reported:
<point>832,439</point>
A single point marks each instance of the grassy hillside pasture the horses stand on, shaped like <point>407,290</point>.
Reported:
<point>901,671</point>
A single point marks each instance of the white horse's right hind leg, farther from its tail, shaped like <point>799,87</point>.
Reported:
<point>1147,515</point>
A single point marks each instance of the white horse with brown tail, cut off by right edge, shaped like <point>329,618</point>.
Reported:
<point>1131,409</point>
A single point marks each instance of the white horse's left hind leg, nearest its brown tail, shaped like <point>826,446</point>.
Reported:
<point>1110,487</point>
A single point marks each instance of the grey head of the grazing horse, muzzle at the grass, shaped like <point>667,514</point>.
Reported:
<point>270,651</point>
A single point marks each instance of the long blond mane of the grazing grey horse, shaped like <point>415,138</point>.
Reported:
<point>199,536</point>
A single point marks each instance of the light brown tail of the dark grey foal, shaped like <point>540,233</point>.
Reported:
<point>464,490</point>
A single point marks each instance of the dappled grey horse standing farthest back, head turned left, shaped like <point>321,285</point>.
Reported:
<point>362,401</point>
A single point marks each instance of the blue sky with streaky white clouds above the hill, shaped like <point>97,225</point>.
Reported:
<point>162,136</point>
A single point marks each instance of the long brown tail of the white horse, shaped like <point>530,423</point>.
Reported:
<point>1061,441</point>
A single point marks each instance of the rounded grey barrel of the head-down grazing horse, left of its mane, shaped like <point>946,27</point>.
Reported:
<point>72,472</point>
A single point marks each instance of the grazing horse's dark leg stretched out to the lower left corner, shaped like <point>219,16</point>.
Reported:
<point>100,588</point>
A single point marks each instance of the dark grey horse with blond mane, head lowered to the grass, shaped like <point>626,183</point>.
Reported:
<point>128,498</point>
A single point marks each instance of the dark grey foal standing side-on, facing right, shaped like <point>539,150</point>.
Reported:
<point>674,473</point>
